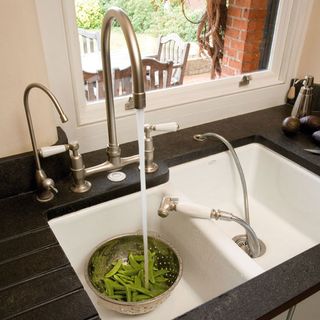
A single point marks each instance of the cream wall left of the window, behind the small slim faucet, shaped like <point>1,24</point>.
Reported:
<point>22,62</point>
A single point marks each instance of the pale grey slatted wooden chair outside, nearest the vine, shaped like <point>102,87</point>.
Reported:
<point>173,48</point>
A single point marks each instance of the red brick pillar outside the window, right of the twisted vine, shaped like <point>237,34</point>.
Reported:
<point>244,35</point>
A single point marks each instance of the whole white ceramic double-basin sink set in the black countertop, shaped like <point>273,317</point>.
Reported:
<point>283,212</point>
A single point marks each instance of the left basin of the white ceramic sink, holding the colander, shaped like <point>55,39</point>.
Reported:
<point>212,263</point>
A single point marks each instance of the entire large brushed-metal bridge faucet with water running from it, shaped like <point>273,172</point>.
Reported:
<point>138,101</point>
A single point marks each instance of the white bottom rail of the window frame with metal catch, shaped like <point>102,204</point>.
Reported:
<point>172,98</point>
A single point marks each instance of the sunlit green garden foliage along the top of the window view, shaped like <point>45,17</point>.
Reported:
<point>147,16</point>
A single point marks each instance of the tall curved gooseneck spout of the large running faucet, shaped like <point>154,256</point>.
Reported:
<point>139,100</point>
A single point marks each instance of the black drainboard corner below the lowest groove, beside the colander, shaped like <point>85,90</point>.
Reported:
<point>76,306</point>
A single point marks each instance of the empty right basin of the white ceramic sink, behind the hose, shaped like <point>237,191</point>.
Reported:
<point>283,198</point>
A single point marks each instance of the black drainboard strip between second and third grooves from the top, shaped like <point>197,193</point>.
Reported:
<point>31,266</point>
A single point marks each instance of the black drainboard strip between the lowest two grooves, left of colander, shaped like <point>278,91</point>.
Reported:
<point>40,290</point>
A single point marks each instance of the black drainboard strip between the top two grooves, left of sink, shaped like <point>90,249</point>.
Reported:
<point>26,243</point>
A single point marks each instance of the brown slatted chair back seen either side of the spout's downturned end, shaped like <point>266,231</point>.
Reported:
<point>157,75</point>
